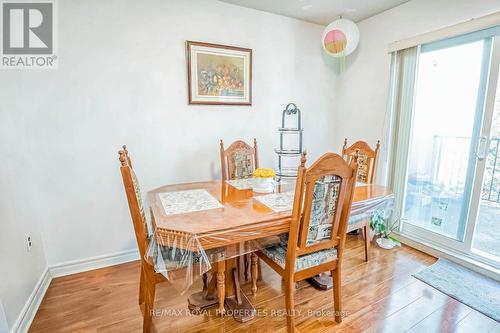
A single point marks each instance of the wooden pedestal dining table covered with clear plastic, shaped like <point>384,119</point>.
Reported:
<point>208,226</point>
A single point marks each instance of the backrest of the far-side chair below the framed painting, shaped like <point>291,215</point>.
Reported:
<point>239,160</point>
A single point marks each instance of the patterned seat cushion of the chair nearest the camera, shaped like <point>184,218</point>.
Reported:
<point>278,254</point>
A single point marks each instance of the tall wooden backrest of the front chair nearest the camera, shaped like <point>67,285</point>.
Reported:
<point>322,203</point>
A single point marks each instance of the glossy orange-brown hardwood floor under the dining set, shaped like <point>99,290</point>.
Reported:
<point>380,296</point>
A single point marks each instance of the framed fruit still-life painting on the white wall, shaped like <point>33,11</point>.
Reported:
<point>219,74</point>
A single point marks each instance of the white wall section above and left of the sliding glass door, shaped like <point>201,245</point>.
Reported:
<point>362,90</point>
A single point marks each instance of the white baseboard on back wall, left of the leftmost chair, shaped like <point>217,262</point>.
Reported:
<point>88,264</point>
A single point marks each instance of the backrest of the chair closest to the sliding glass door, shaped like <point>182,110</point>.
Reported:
<point>367,159</point>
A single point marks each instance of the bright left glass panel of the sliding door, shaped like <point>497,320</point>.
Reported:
<point>441,161</point>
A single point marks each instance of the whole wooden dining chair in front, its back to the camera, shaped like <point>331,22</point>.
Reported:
<point>315,243</point>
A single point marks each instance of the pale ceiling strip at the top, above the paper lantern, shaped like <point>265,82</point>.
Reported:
<point>321,11</point>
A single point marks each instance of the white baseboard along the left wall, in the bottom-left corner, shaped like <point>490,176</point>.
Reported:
<point>29,310</point>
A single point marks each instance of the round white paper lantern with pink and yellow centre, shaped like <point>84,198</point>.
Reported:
<point>340,38</point>
